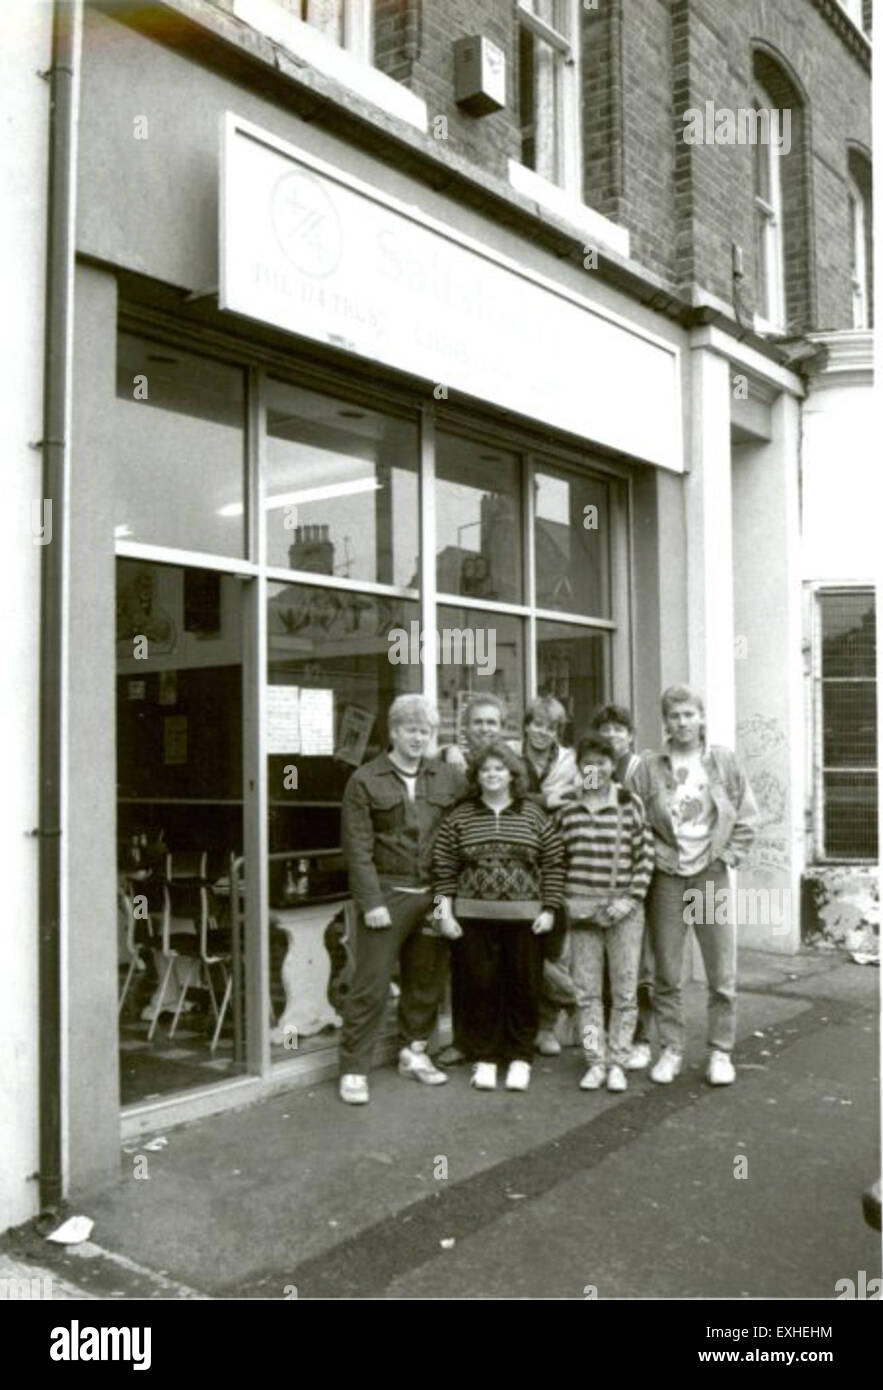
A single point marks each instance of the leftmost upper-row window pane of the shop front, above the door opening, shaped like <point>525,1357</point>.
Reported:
<point>179,432</point>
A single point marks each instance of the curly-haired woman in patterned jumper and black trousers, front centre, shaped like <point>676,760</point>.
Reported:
<point>499,876</point>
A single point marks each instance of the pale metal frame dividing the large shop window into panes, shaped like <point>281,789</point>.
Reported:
<point>261,362</point>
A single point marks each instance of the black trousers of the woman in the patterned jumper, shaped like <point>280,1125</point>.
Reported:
<point>501,978</point>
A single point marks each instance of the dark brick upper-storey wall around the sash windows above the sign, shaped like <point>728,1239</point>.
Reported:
<point>647,62</point>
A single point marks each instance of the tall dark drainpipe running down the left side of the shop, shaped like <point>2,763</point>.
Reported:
<point>60,245</point>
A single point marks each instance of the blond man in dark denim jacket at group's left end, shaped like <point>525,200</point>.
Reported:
<point>390,817</point>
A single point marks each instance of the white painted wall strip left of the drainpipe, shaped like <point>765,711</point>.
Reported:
<point>26,51</point>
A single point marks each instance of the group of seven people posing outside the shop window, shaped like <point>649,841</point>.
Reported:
<point>542,883</point>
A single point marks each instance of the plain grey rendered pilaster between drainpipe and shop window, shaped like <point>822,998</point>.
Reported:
<point>92,1067</point>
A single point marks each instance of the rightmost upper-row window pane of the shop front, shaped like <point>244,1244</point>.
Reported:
<point>572,537</point>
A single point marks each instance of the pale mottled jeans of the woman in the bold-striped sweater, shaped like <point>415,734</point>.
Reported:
<point>621,947</point>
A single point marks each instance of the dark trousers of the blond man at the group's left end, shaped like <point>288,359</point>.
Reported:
<point>422,979</point>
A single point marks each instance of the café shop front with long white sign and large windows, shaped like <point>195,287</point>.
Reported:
<point>357,473</point>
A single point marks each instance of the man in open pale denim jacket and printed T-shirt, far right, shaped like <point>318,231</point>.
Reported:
<point>703,814</point>
